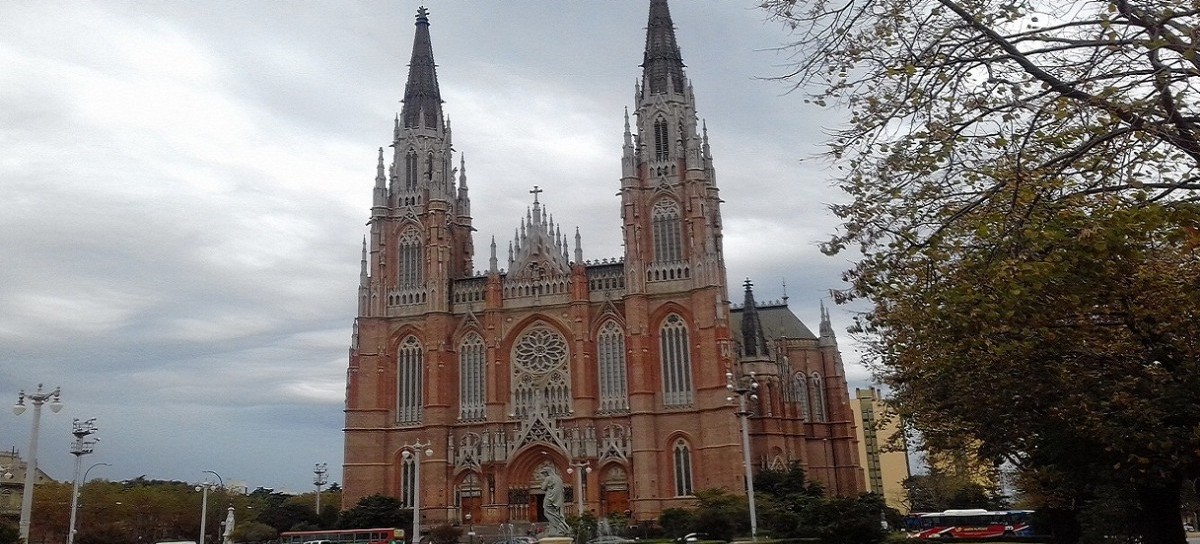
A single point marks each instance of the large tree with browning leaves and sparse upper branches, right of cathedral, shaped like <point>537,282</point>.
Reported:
<point>1024,178</point>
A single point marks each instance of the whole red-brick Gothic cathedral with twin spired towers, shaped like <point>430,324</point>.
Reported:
<point>619,375</point>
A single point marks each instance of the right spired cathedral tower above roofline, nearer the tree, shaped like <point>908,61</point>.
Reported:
<point>670,204</point>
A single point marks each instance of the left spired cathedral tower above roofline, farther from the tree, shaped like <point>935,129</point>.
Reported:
<point>421,219</point>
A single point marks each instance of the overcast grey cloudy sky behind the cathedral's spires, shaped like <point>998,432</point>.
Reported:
<point>184,189</point>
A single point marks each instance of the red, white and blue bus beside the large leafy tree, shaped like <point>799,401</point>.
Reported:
<point>970,524</point>
